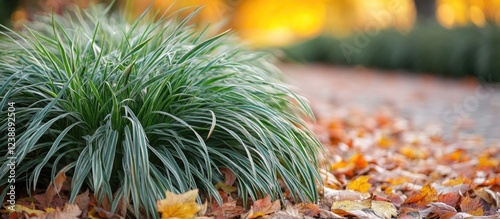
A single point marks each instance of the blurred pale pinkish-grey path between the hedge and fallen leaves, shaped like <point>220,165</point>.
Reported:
<point>463,108</point>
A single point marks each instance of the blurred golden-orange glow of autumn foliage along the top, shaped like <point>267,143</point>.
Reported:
<point>282,22</point>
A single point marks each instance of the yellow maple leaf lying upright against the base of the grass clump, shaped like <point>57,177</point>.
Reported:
<point>182,206</point>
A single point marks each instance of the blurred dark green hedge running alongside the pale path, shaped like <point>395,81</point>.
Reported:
<point>428,48</point>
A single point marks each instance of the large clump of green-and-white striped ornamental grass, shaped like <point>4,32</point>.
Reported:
<point>131,110</point>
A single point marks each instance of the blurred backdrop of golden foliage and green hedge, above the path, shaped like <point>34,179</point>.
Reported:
<point>445,37</point>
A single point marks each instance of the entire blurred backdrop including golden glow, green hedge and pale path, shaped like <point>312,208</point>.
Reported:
<point>371,52</point>
